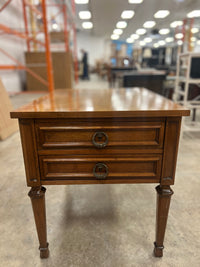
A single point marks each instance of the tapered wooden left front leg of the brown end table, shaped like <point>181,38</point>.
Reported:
<point>37,195</point>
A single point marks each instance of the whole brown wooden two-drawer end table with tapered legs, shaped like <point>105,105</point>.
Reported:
<point>100,136</point>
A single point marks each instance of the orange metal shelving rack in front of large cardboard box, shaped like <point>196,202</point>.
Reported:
<point>30,11</point>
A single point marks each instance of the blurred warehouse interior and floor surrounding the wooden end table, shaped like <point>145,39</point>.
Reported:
<point>48,45</point>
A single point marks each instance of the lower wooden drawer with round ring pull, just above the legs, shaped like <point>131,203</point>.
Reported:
<point>139,167</point>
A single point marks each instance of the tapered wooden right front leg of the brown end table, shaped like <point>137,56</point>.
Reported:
<point>164,194</point>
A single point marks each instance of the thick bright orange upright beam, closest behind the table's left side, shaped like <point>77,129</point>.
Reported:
<point>48,52</point>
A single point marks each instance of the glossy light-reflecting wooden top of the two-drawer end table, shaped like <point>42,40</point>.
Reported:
<point>89,103</point>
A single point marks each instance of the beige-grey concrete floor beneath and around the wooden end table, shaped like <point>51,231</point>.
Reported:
<point>99,225</point>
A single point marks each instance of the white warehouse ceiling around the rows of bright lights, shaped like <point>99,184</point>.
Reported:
<point>106,13</point>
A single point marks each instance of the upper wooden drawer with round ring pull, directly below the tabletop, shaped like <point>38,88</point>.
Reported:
<point>123,134</point>
